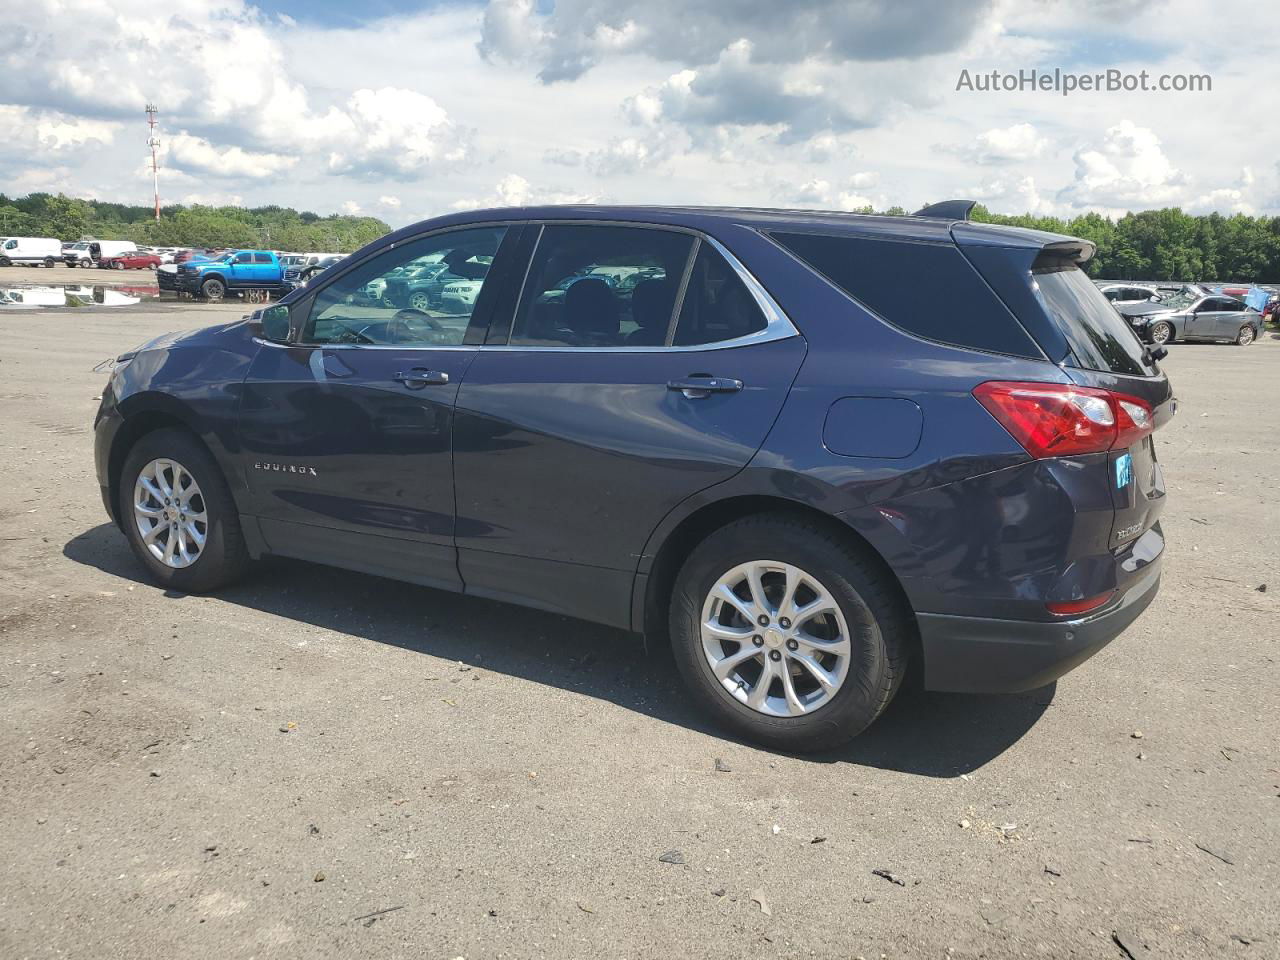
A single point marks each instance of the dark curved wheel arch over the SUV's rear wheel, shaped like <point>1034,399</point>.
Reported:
<point>653,591</point>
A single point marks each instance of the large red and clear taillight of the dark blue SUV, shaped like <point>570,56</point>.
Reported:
<point>1059,420</point>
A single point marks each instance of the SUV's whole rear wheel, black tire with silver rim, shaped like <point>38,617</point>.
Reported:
<point>872,618</point>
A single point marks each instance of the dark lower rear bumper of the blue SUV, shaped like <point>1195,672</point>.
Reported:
<point>988,656</point>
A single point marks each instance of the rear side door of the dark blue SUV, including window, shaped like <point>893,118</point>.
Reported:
<point>597,410</point>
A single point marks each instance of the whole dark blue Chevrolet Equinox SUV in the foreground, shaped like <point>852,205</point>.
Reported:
<point>810,450</point>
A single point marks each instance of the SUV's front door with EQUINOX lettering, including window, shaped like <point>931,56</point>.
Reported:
<point>348,431</point>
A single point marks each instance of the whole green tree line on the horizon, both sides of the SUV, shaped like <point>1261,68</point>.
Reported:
<point>1150,245</point>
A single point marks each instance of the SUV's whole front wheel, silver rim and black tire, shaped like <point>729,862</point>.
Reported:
<point>179,515</point>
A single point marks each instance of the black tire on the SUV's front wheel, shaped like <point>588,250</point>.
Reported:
<point>223,559</point>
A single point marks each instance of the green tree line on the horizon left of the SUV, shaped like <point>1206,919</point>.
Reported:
<point>264,227</point>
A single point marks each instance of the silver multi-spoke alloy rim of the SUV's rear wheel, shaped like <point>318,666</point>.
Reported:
<point>776,639</point>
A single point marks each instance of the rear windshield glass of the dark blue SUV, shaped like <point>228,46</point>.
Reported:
<point>1099,336</point>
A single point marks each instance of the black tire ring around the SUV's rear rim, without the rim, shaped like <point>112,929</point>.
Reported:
<point>874,620</point>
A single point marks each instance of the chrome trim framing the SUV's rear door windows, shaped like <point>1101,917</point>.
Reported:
<point>778,324</point>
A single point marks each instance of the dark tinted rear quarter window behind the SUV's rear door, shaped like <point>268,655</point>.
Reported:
<point>929,290</point>
